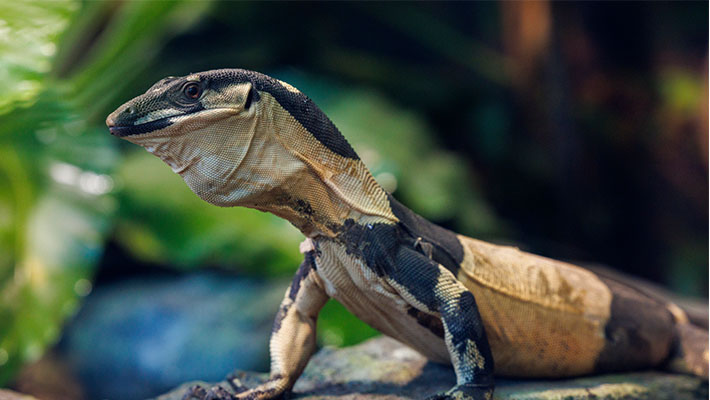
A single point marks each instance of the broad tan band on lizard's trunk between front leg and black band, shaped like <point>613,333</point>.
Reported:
<point>543,318</point>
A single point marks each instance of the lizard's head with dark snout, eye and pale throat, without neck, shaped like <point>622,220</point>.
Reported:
<point>197,124</point>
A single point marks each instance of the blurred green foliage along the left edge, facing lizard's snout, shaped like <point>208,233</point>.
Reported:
<point>56,206</point>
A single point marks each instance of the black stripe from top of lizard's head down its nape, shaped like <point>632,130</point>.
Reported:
<point>302,108</point>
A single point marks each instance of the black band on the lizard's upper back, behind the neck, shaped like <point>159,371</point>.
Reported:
<point>446,248</point>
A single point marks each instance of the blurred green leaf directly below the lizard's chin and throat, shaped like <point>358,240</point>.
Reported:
<point>162,221</point>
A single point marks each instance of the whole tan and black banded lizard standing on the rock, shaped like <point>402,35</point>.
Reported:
<point>240,138</point>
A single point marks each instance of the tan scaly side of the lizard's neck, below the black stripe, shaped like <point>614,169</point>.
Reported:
<point>313,187</point>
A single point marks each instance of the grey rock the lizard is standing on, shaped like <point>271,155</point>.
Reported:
<point>385,369</point>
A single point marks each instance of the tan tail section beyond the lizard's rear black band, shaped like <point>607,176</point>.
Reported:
<point>690,352</point>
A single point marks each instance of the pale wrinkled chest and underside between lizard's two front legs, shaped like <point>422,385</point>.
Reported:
<point>370,298</point>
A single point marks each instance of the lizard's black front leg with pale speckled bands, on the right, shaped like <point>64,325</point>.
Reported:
<point>433,289</point>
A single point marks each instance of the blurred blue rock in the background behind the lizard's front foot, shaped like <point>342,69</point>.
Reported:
<point>139,338</point>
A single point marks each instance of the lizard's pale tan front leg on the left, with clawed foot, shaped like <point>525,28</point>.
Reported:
<point>293,340</point>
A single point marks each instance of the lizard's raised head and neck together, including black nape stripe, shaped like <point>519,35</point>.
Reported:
<point>239,137</point>
